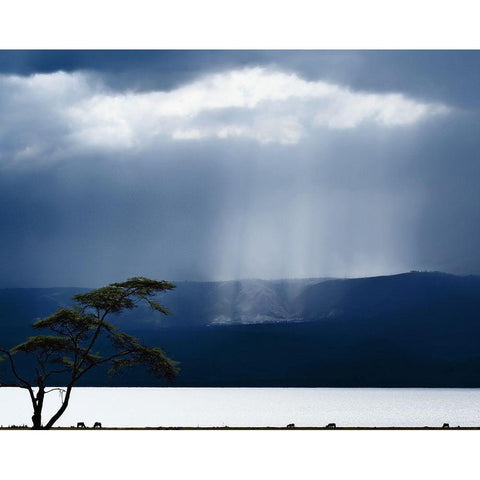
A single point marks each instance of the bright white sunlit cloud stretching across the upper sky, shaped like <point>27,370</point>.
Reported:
<point>52,112</point>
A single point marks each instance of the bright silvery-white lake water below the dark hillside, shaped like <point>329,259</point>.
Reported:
<point>253,407</point>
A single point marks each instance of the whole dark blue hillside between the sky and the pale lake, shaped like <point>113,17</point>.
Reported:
<point>410,330</point>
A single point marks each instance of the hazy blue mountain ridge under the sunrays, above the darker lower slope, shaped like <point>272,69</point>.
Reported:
<point>271,301</point>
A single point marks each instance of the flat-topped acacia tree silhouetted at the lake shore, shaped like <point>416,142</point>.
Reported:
<point>74,334</point>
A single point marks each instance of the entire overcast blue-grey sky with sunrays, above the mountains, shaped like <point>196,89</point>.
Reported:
<point>215,165</point>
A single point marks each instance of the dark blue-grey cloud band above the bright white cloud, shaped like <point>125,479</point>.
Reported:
<point>449,76</point>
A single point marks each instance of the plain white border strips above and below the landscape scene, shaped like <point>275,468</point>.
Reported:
<point>248,24</point>
